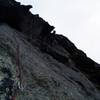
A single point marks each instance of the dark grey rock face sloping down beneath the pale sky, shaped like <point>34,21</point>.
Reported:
<point>38,64</point>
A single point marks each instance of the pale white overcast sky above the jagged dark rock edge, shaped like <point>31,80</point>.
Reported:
<point>79,20</point>
